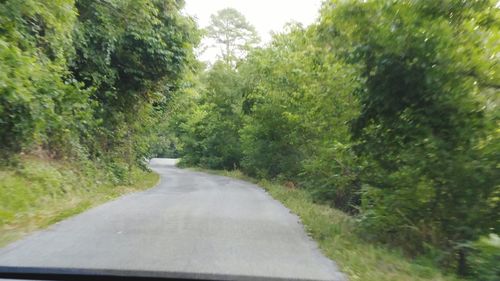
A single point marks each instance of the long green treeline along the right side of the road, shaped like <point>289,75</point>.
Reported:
<point>387,110</point>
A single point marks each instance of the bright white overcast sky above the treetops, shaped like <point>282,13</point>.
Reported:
<point>265,15</point>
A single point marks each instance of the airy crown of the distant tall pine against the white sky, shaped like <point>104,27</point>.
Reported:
<point>232,34</point>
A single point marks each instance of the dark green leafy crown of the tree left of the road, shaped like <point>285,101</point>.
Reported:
<point>126,48</point>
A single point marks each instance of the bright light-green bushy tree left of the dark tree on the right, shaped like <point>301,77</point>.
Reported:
<point>298,101</point>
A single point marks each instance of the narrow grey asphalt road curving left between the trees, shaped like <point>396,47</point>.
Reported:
<point>190,222</point>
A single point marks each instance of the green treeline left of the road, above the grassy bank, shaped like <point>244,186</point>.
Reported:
<point>89,79</point>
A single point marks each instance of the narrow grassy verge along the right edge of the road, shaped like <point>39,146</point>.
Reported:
<point>334,232</point>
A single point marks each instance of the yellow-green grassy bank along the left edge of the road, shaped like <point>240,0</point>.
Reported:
<point>41,192</point>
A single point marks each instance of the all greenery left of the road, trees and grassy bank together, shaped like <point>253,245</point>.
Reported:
<point>82,83</point>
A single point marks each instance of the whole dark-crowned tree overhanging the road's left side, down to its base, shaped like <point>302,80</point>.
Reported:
<point>132,54</point>
